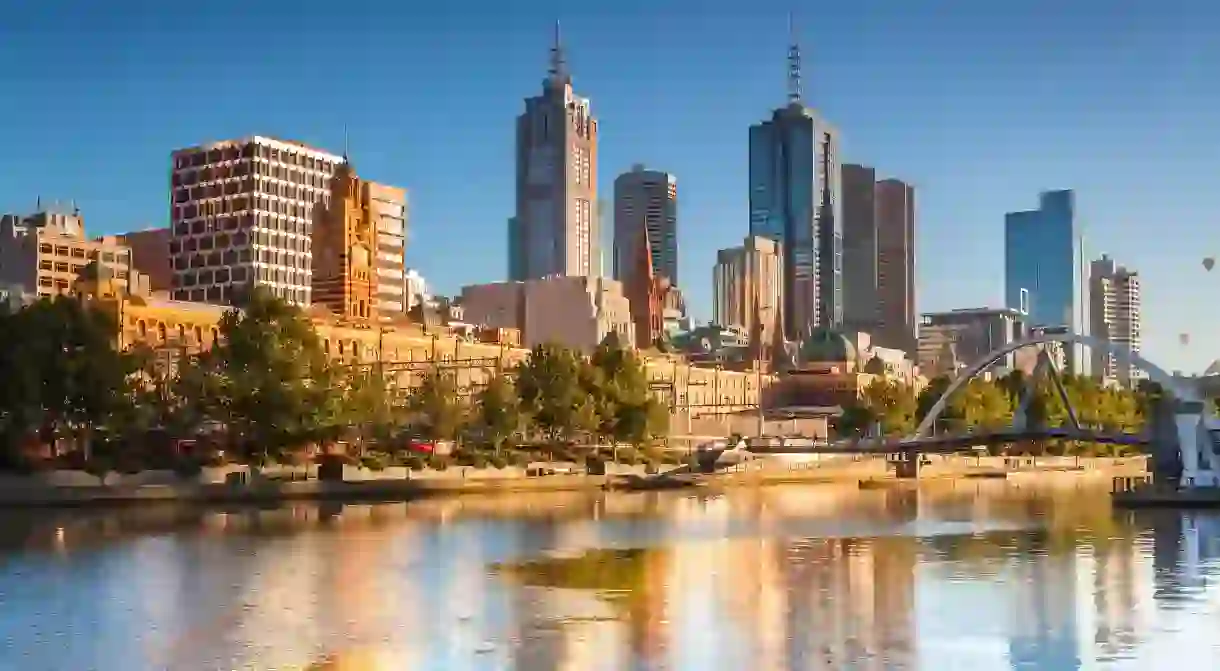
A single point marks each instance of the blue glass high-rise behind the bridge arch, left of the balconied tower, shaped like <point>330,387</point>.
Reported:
<point>1042,269</point>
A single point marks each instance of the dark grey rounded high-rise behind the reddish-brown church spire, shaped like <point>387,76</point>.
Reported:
<point>646,202</point>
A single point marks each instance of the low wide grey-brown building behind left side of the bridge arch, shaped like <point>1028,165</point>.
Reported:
<point>950,341</point>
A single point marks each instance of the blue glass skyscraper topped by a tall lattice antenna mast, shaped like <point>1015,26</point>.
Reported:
<point>795,199</point>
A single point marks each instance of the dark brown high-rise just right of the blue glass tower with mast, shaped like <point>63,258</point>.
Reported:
<point>879,258</point>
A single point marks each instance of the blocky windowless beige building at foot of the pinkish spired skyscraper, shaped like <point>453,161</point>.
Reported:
<point>572,312</point>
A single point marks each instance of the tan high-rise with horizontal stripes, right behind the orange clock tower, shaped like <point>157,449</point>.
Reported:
<point>387,210</point>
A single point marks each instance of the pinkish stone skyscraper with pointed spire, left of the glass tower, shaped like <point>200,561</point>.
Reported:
<point>556,228</point>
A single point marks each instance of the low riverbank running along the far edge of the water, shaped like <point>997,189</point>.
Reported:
<point>38,492</point>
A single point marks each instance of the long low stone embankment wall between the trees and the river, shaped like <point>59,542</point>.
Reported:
<point>242,485</point>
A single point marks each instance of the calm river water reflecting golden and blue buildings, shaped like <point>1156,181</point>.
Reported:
<point>956,576</point>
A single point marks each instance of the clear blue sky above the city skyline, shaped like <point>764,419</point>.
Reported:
<point>979,104</point>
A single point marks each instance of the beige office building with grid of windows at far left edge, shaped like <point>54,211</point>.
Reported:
<point>43,254</point>
